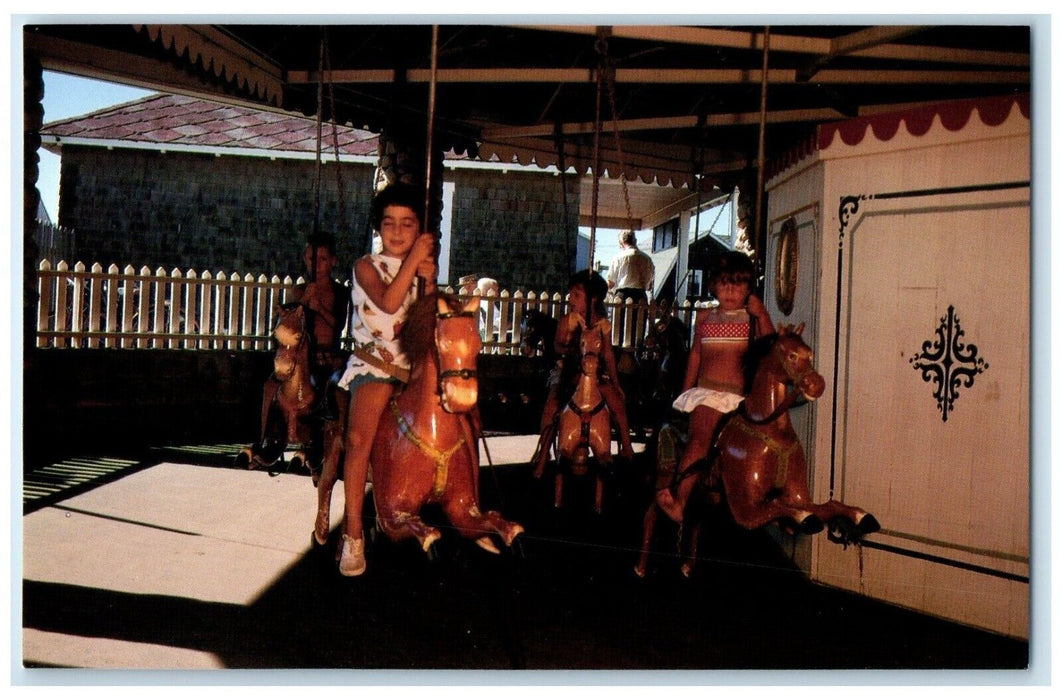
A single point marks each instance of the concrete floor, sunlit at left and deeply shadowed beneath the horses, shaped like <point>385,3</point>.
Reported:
<point>184,562</point>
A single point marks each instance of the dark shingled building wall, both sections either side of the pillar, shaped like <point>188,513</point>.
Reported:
<point>233,214</point>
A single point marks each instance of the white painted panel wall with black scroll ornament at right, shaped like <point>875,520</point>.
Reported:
<point>937,223</point>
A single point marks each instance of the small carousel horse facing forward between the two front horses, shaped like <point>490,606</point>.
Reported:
<point>585,425</point>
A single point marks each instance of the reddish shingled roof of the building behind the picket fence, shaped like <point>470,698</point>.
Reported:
<point>177,121</point>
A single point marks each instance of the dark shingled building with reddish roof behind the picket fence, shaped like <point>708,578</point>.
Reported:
<point>177,182</point>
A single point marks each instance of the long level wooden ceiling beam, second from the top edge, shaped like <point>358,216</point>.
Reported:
<point>654,76</point>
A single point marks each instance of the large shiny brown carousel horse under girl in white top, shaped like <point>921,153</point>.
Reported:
<point>425,449</point>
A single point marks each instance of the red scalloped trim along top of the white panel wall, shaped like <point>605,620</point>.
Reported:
<point>954,116</point>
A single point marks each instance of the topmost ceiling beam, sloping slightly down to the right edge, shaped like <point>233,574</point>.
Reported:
<point>793,44</point>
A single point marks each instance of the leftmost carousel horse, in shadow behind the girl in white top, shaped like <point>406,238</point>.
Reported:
<point>288,395</point>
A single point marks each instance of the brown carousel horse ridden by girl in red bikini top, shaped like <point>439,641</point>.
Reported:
<point>759,462</point>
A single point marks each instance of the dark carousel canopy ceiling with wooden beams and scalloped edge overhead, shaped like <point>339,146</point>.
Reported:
<point>680,107</point>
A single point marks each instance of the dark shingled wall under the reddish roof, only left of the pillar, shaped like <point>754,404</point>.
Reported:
<point>205,213</point>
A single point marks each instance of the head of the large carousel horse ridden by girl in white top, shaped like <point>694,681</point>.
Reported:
<point>457,345</point>
